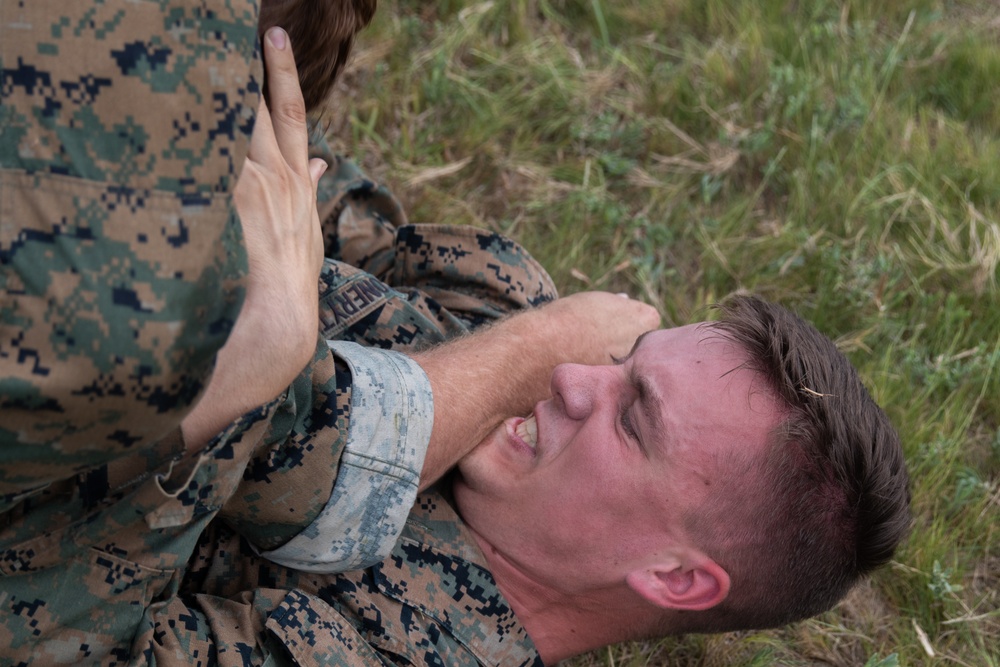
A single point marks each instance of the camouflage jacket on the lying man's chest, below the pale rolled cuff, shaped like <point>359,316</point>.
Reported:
<point>431,602</point>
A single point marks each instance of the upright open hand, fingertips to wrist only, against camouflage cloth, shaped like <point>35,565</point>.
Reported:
<point>276,199</point>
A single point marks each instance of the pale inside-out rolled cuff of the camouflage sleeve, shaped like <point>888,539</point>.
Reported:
<point>391,415</point>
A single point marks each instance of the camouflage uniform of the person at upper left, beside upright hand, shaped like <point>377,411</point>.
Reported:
<point>122,128</point>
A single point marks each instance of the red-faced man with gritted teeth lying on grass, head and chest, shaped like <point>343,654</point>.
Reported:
<point>725,475</point>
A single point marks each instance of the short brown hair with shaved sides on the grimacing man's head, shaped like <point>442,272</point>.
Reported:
<point>829,500</point>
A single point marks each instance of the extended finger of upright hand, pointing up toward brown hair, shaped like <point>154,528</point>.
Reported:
<point>288,111</point>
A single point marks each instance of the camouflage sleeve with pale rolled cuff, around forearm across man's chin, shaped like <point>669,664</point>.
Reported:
<point>329,487</point>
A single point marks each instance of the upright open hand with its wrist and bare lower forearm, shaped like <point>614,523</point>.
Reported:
<point>275,335</point>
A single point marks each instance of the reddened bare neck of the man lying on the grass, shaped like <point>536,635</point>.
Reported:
<point>561,623</point>
